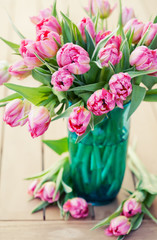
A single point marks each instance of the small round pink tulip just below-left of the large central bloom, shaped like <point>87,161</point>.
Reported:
<point>62,80</point>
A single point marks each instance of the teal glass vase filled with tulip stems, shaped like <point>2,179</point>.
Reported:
<point>98,161</point>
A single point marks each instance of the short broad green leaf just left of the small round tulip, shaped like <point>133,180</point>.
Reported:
<point>42,75</point>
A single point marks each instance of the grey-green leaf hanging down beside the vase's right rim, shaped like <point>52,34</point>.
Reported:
<point>138,94</point>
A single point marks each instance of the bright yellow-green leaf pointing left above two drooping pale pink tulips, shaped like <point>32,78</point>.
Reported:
<point>34,95</point>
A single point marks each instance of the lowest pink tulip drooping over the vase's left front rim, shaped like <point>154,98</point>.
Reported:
<point>79,120</point>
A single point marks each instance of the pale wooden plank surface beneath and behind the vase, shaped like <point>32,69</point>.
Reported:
<point>20,156</point>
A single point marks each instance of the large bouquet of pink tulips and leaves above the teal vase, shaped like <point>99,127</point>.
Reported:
<point>85,69</point>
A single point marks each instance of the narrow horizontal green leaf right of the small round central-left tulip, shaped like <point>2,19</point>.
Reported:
<point>90,87</point>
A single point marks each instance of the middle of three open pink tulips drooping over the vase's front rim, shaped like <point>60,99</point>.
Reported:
<point>101,102</point>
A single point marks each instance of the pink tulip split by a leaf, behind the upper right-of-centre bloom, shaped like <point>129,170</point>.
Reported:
<point>116,40</point>
